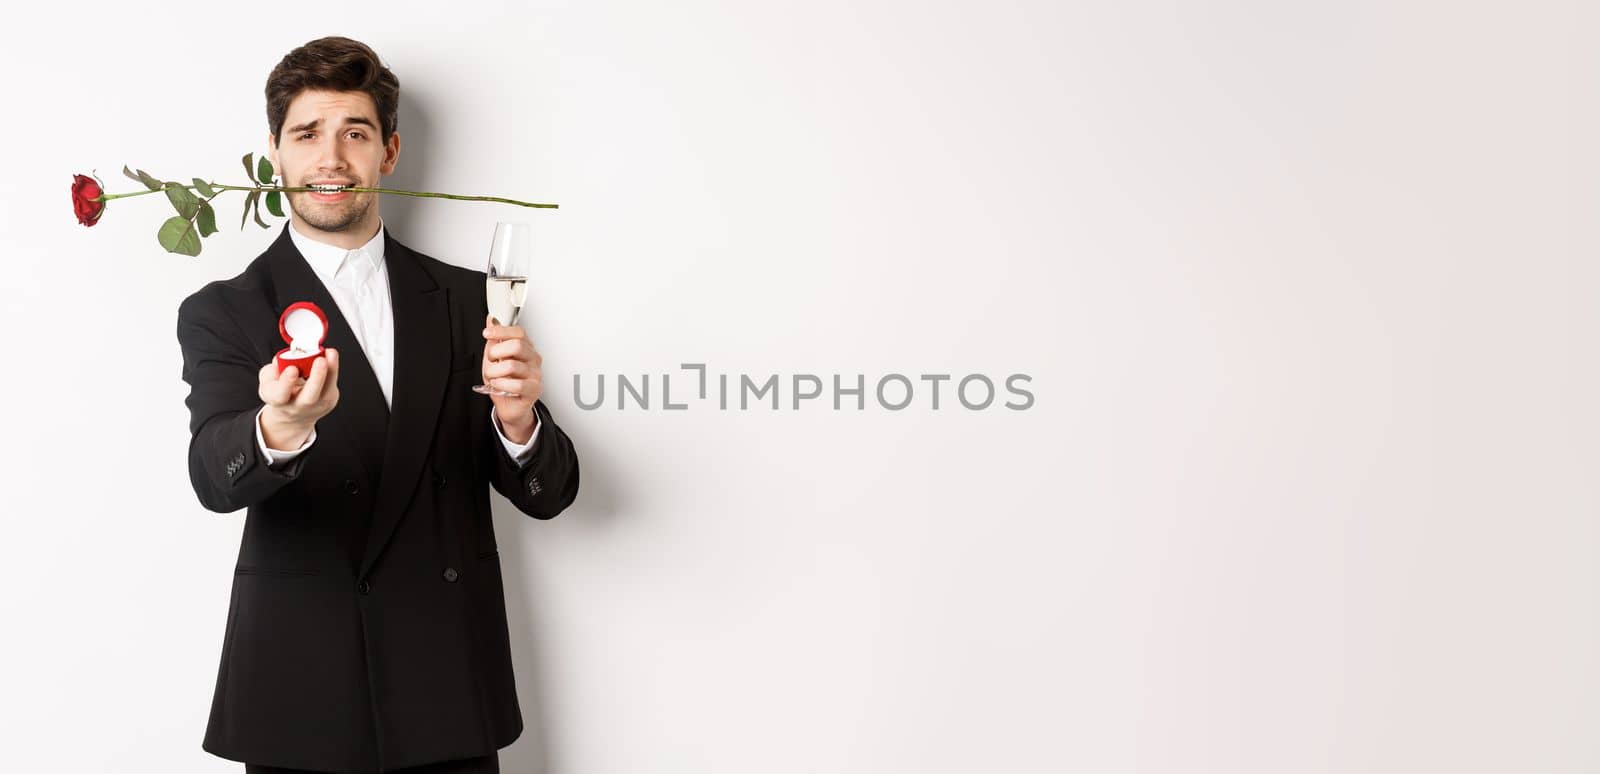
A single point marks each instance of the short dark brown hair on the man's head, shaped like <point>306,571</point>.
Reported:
<point>334,65</point>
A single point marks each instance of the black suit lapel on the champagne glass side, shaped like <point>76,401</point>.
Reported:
<point>422,316</point>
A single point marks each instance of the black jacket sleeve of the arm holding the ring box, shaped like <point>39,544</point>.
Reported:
<point>226,466</point>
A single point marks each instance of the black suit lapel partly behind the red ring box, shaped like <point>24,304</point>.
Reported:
<point>362,413</point>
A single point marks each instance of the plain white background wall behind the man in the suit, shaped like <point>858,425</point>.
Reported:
<point>1308,293</point>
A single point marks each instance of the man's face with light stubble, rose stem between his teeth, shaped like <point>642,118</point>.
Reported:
<point>334,137</point>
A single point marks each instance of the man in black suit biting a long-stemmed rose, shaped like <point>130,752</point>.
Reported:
<point>367,626</point>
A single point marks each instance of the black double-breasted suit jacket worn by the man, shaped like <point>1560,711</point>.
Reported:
<point>367,624</point>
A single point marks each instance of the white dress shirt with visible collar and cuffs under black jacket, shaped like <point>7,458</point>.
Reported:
<point>359,284</point>
